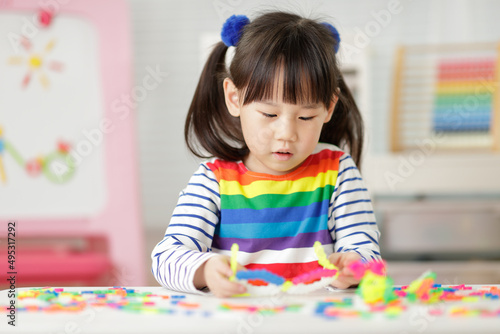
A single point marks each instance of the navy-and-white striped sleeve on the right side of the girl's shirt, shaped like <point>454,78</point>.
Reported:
<point>351,218</point>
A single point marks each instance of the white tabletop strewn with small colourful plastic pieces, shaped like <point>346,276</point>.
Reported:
<point>204,314</point>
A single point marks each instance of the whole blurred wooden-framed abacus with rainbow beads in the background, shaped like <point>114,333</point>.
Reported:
<point>446,96</point>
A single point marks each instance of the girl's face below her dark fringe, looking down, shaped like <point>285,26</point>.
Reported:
<point>280,136</point>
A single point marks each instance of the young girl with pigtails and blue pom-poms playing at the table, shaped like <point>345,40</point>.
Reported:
<point>277,180</point>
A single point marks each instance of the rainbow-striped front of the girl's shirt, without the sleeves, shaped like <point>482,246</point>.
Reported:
<point>276,217</point>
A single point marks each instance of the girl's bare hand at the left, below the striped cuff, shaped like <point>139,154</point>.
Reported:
<point>215,274</point>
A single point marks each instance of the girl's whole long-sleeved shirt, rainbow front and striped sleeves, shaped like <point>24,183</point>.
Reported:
<point>275,219</point>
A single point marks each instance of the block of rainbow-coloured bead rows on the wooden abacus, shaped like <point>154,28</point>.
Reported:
<point>463,99</point>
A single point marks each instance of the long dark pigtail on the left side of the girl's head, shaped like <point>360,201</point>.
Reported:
<point>210,130</point>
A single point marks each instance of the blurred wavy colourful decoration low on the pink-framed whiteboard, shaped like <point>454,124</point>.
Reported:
<point>57,166</point>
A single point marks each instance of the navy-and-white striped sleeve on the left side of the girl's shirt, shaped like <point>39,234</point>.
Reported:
<point>188,239</point>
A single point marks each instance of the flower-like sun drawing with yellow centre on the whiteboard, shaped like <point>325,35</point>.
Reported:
<point>36,63</point>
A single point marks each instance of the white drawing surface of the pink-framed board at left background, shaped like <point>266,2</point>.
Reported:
<point>61,102</point>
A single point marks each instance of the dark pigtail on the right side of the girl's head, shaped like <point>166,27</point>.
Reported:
<point>345,129</point>
